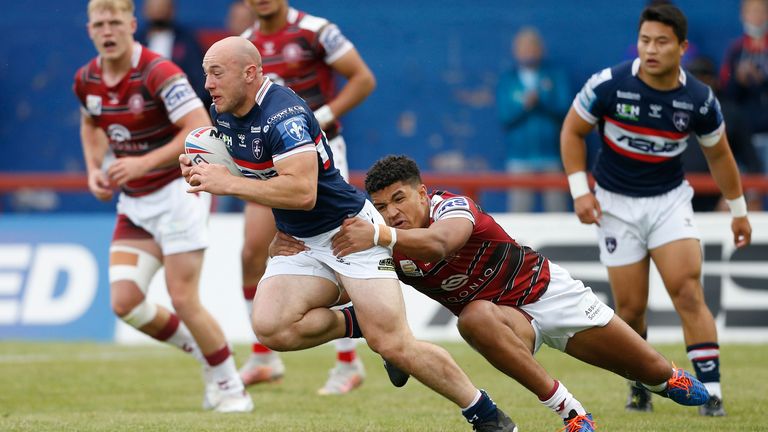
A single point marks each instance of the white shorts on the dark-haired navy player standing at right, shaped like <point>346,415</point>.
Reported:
<point>631,226</point>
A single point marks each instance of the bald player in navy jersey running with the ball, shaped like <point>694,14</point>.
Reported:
<point>277,142</point>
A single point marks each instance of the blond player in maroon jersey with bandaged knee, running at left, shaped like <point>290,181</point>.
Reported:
<point>141,106</point>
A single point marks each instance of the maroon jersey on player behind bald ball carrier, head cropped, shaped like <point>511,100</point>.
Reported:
<point>298,57</point>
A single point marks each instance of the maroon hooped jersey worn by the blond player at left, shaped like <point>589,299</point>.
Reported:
<point>138,113</point>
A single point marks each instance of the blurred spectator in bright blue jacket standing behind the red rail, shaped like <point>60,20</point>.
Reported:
<point>533,98</point>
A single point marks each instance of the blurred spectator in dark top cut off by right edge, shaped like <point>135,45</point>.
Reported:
<point>744,73</point>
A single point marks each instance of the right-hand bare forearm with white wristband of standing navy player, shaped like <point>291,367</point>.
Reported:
<point>726,175</point>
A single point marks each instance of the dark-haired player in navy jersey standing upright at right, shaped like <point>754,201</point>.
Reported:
<point>645,111</point>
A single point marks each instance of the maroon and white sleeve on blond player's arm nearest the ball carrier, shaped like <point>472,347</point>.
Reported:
<point>167,82</point>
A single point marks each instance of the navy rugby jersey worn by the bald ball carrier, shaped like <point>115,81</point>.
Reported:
<point>280,125</point>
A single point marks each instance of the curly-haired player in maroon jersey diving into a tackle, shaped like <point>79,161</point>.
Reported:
<point>509,298</point>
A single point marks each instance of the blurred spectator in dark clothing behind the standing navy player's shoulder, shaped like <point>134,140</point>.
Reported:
<point>737,131</point>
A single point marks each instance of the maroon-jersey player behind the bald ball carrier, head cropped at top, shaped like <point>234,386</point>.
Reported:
<point>303,52</point>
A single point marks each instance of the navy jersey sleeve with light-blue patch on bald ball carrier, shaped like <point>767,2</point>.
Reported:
<point>290,135</point>
